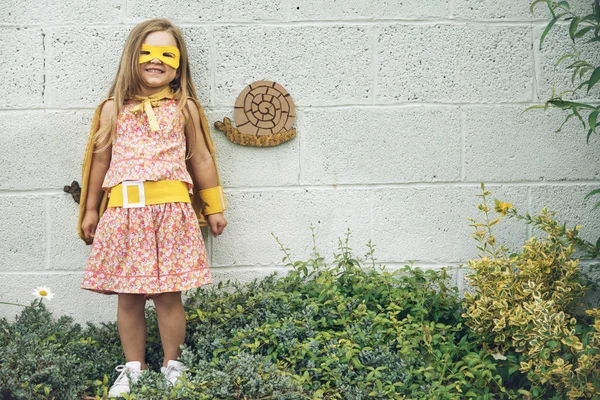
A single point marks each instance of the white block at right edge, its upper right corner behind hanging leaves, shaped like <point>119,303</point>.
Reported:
<point>503,143</point>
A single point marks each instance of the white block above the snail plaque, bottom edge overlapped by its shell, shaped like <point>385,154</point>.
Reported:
<point>320,65</point>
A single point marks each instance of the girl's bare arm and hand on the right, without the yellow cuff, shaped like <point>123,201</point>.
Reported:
<point>203,166</point>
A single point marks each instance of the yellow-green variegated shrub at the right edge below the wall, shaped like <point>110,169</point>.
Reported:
<point>525,308</point>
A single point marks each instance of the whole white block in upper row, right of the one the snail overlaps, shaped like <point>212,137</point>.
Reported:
<point>454,63</point>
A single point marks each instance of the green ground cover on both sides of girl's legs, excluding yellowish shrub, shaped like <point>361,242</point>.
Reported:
<point>344,331</point>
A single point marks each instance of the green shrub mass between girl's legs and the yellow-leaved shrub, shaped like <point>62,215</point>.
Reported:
<point>345,331</point>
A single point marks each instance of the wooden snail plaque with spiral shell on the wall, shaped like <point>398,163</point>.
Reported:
<point>264,113</point>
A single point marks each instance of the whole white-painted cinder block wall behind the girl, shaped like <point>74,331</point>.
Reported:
<point>403,109</point>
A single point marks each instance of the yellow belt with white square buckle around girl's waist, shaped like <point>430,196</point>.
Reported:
<point>136,194</point>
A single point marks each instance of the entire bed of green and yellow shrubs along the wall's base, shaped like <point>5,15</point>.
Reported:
<point>349,329</point>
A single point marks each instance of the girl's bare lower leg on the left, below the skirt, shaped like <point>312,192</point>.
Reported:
<point>132,326</point>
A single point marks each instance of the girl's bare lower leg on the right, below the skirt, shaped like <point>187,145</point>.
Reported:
<point>171,323</point>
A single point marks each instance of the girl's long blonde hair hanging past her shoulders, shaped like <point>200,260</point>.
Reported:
<point>127,83</point>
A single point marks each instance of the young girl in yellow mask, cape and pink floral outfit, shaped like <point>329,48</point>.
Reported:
<point>148,149</point>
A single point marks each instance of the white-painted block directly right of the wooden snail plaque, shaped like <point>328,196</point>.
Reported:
<point>380,145</point>
